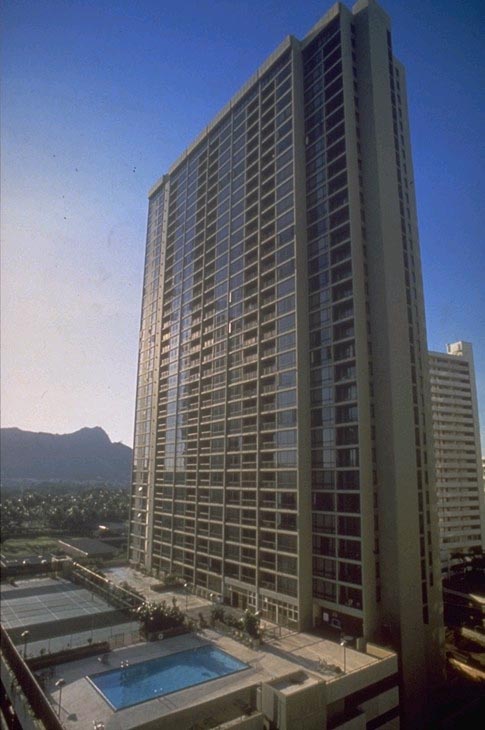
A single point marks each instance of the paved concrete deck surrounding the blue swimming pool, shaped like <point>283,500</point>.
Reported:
<point>81,704</point>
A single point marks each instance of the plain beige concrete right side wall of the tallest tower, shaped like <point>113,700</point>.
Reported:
<point>400,609</point>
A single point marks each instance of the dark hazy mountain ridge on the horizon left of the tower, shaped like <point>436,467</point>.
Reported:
<point>87,455</point>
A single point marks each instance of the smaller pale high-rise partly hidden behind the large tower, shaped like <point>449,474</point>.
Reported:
<point>456,433</point>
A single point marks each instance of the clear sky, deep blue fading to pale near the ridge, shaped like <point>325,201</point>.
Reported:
<point>101,96</point>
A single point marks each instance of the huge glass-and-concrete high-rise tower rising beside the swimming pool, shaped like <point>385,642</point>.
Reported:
<point>282,453</point>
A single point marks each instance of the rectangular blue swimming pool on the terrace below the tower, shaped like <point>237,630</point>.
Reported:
<point>157,677</point>
